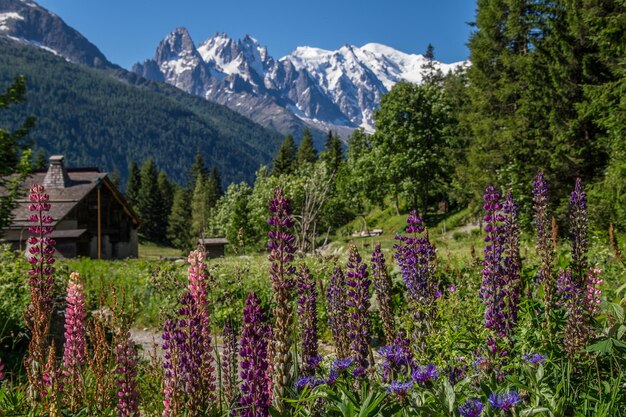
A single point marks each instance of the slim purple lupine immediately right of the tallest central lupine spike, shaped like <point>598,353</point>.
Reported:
<point>307,318</point>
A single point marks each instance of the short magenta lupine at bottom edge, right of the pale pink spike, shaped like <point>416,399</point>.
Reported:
<point>126,369</point>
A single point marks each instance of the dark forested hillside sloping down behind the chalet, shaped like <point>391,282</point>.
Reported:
<point>110,118</point>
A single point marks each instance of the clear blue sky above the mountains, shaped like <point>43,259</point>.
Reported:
<point>127,31</point>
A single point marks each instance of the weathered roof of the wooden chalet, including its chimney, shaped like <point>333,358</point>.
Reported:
<point>72,189</point>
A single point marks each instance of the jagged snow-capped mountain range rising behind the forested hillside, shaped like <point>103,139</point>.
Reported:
<point>326,89</point>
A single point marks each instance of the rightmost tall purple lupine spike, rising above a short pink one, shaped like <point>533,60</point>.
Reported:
<point>578,233</point>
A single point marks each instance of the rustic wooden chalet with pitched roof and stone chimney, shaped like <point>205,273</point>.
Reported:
<point>90,216</point>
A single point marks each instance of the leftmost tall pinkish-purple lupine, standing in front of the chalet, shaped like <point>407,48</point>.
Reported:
<point>40,256</point>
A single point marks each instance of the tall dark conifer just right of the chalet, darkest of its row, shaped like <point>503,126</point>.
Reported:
<point>149,204</point>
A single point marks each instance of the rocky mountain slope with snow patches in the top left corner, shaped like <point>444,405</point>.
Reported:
<point>27,22</point>
